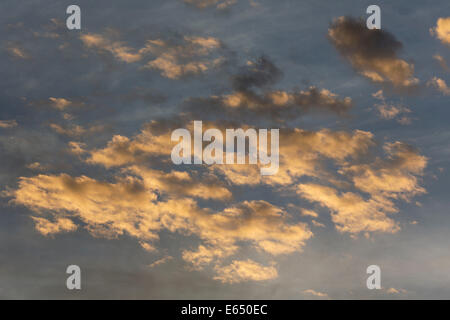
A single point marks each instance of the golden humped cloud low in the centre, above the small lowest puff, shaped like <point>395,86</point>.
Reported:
<point>259,223</point>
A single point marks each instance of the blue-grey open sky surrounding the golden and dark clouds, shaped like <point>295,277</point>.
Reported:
<point>293,35</point>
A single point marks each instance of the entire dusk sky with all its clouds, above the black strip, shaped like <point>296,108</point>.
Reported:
<point>86,176</point>
